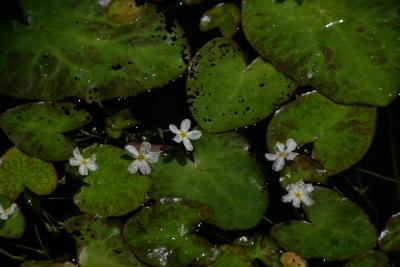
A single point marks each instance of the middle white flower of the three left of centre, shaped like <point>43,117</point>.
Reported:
<point>142,158</point>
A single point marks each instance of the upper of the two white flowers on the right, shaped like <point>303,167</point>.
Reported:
<point>281,154</point>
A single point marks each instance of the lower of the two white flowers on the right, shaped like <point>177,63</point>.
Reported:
<point>298,193</point>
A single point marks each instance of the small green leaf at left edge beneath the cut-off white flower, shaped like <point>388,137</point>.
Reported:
<point>14,226</point>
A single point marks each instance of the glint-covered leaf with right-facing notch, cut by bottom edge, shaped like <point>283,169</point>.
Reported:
<point>163,235</point>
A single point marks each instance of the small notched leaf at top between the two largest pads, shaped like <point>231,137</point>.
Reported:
<point>225,16</point>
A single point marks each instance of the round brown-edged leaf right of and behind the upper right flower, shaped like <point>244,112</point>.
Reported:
<point>341,134</point>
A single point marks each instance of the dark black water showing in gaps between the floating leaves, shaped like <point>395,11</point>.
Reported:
<point>379,198</point>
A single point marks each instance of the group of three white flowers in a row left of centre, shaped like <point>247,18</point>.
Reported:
<point>144,156</point>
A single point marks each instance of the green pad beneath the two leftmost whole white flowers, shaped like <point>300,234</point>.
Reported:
<point>111,190</point>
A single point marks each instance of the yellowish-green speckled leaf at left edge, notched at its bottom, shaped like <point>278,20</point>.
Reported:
<point>19,171</point>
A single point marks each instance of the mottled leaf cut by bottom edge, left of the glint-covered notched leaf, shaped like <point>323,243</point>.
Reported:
<point>100,243</point>
